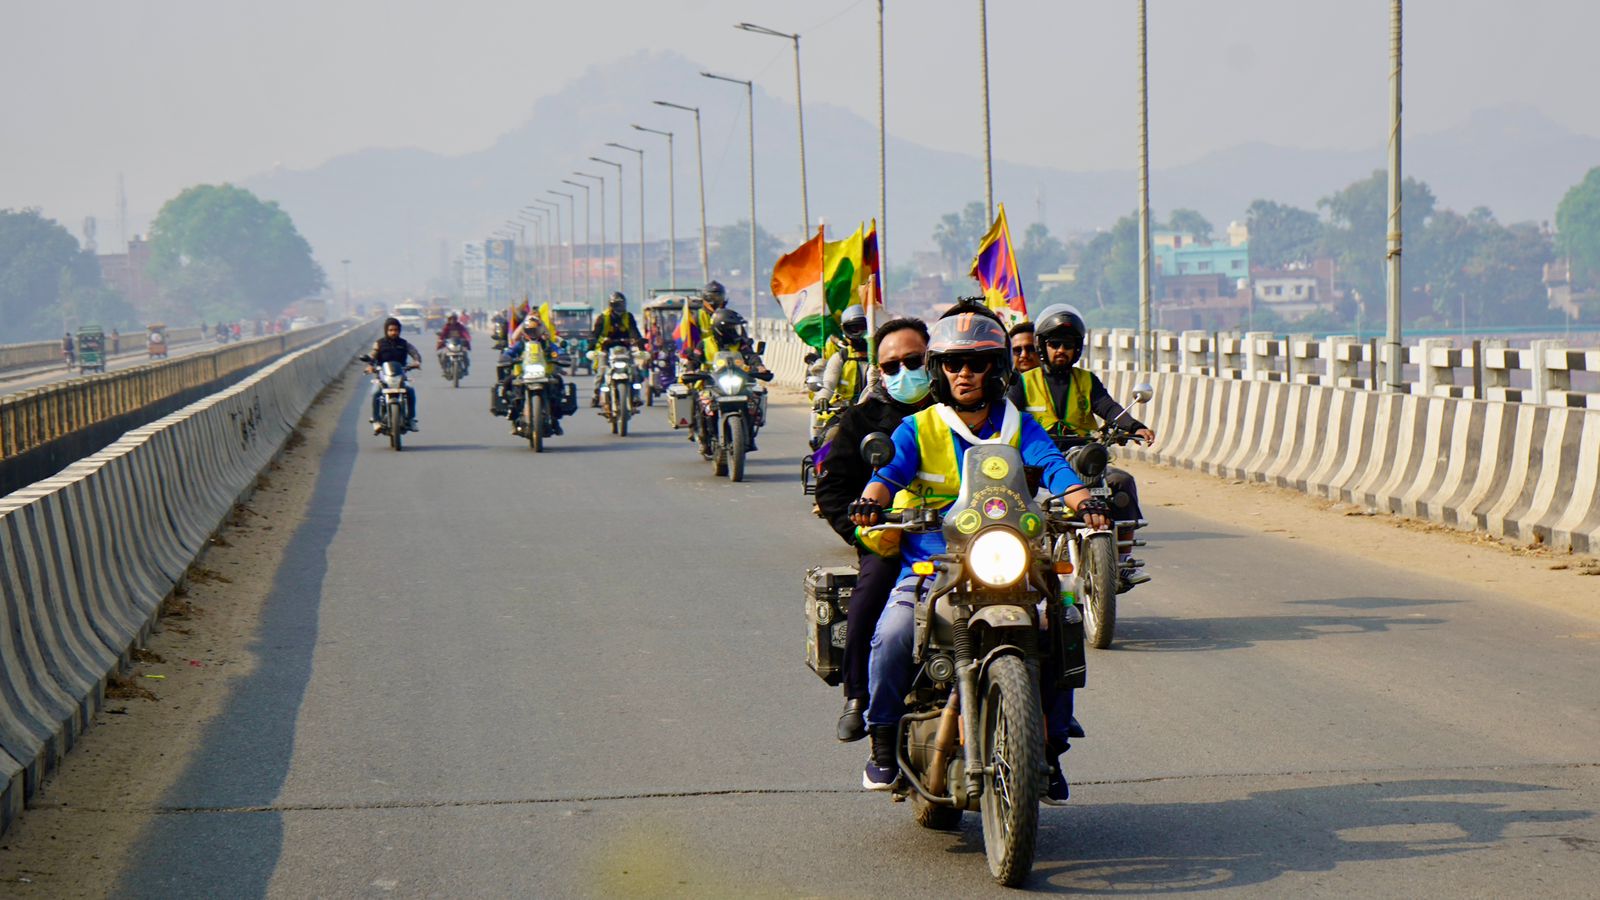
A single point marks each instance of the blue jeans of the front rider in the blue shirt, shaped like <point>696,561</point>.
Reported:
<point>890,669</point>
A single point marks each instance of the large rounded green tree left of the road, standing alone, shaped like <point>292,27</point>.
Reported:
<point>238,236</point>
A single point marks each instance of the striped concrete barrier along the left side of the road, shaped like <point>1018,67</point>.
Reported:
<point>90,553</point>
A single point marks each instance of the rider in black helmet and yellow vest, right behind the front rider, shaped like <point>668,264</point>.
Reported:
<point>1068,400</point>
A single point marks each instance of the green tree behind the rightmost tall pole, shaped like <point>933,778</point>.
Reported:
<point>1359,228</point>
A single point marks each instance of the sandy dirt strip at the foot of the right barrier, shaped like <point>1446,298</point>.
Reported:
<point>1558,581</point>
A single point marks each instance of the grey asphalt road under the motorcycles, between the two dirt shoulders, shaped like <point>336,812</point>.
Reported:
<point>582,673</point>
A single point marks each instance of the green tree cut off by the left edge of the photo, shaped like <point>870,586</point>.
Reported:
<point>49,283</point>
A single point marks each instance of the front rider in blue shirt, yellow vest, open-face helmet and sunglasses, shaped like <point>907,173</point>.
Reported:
<point>972,371</point>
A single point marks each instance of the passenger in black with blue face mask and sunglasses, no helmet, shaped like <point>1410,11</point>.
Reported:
<point>842,475</point>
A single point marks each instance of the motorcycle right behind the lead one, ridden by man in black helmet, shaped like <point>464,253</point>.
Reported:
<point>1098,553</point>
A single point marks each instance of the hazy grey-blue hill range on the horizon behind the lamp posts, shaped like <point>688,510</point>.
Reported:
<point>390,209</point>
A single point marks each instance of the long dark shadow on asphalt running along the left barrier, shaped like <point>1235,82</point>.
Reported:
<point>246,753</point>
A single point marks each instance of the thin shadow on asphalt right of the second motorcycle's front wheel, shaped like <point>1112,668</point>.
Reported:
<point>1233,633</point>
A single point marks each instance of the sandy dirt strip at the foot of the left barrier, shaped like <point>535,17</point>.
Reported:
<point>74,838</point>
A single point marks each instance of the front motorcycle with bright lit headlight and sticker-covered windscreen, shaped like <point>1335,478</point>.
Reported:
<point>994,608</point>
